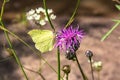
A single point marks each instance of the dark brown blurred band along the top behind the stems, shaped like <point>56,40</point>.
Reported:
<point>62,7</point>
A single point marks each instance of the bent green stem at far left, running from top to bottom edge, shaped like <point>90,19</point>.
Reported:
<point>9,42</point>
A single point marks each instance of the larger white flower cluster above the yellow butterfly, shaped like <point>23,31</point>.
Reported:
<point>39,15</point>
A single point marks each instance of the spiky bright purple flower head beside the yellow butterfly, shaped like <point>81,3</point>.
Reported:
<point>69,39</point>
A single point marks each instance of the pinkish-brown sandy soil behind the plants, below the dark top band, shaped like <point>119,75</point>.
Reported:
<point>95,26</point>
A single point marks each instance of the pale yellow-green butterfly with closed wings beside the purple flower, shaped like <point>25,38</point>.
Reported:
<point>43,39</point>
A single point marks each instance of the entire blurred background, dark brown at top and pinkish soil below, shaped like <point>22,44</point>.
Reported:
<point>94,16</point>
